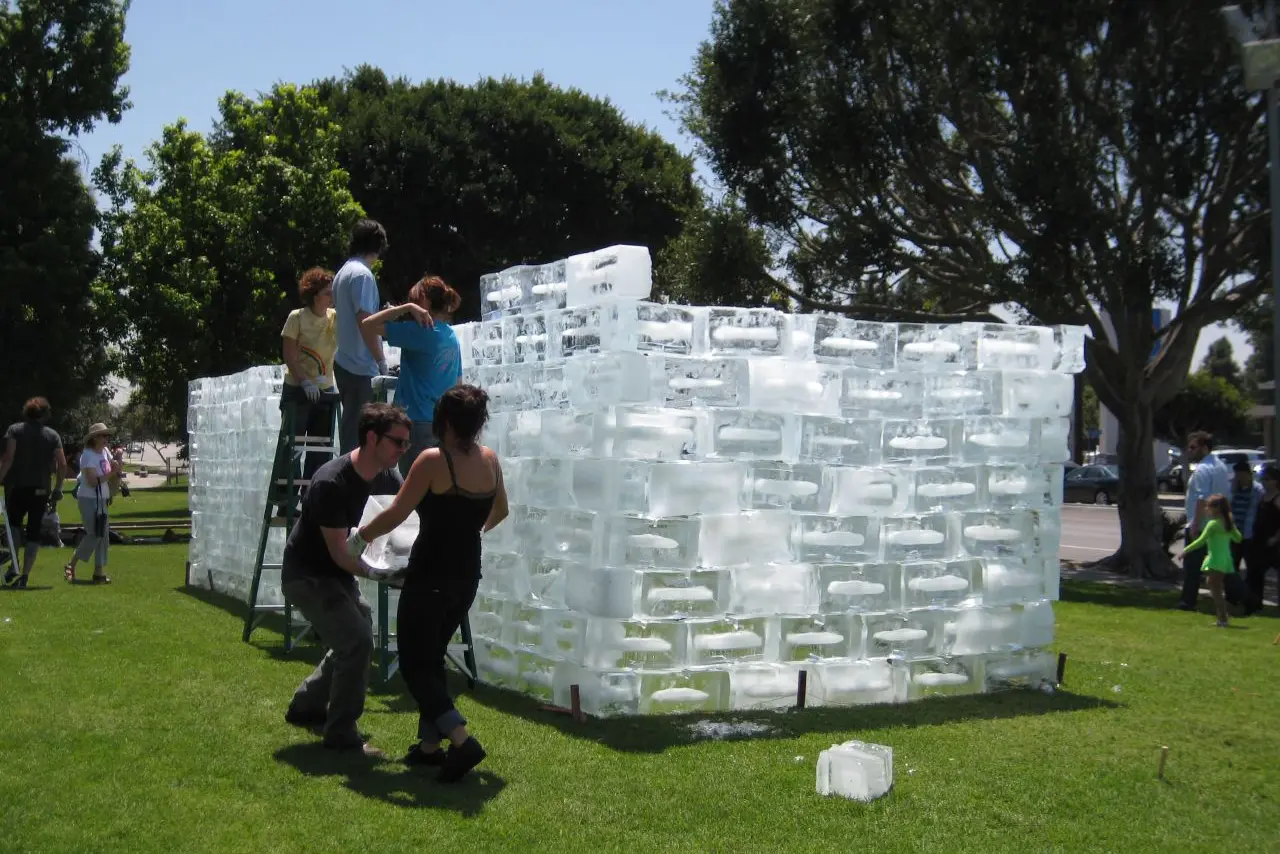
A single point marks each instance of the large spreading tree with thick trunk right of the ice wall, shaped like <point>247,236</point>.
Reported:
<point>1076,162</point>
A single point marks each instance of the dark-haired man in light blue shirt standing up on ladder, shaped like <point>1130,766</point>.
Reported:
<point>360,354</point>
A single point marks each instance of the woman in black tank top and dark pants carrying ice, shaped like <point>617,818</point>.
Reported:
<point>459,495</point>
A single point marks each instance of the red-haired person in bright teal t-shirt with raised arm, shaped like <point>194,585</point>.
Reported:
<point>431,358</point>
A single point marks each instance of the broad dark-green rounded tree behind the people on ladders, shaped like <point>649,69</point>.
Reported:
<point>470,180</point>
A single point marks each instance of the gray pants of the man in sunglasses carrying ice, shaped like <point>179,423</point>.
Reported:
<point>335,692</point>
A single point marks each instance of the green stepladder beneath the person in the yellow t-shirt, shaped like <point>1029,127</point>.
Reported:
<point>291,454</point>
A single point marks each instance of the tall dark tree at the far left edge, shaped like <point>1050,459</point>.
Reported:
<point>61,74</point>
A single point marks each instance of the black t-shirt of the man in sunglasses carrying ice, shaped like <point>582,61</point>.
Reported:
<point>336,499</point>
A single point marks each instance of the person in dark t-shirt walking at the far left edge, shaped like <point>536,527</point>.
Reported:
<point>33,459</point>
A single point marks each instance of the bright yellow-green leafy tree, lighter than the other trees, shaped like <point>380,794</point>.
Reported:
<point>204,248</point>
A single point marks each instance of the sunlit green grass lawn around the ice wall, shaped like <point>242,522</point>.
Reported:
<point>135,720</point>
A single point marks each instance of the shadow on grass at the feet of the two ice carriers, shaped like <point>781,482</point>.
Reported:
<point>392,783</point>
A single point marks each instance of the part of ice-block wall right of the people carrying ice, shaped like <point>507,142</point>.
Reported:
<point>707,500</point>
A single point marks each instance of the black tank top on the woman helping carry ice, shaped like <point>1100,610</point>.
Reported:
<point>449,540</point>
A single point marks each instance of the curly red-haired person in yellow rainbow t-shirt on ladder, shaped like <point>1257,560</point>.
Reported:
<point>310,339</point>
